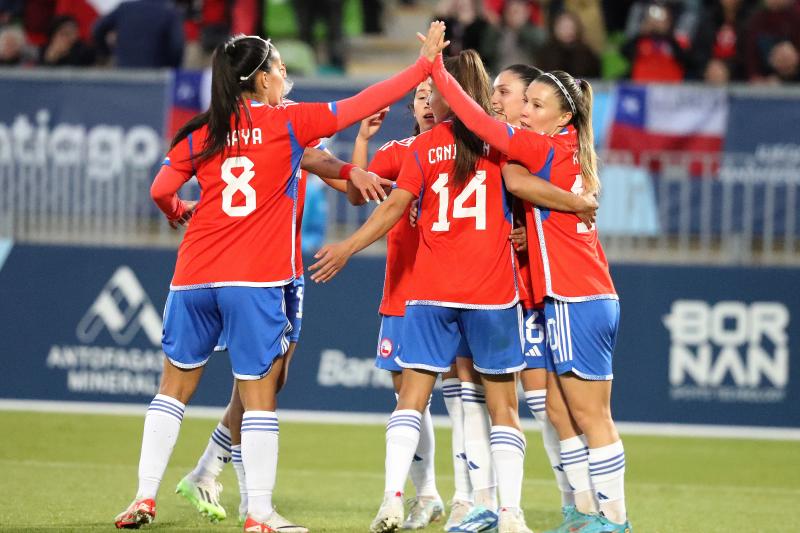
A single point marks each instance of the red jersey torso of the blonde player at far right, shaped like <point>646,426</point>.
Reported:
<point>574,266</point>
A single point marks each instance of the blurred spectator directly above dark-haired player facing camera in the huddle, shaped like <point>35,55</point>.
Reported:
<point>519,40</point>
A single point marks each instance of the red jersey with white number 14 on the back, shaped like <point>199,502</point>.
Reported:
<point>464,258</point>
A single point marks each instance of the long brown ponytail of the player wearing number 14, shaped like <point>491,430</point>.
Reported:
<point>468,70</point>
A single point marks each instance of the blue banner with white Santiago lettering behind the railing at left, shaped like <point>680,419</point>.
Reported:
<point>81,144</point>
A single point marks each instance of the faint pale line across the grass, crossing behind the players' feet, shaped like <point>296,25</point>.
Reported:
<point>376,475</point>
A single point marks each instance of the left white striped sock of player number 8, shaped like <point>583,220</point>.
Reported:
<point>162,423</point>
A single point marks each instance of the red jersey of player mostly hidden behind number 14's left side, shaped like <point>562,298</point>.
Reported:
<point>402,240</point>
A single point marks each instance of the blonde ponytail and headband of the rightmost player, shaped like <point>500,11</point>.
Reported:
<point>575,96</point>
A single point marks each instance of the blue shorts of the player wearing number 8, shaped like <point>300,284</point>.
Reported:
<point>251,319</point>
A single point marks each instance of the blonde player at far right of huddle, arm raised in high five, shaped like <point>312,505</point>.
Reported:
<point>580,294</point>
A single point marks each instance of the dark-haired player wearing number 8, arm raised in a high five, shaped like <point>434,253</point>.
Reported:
<point>238,253</point>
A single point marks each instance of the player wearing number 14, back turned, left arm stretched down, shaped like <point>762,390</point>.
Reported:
<point>463,292</point>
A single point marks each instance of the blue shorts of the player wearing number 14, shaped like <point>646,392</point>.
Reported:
<point>435,335</point>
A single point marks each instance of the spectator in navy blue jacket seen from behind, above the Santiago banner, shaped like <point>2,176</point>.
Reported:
<point>142,34</point>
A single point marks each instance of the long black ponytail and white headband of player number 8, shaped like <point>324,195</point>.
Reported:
<point>233,66</point>
